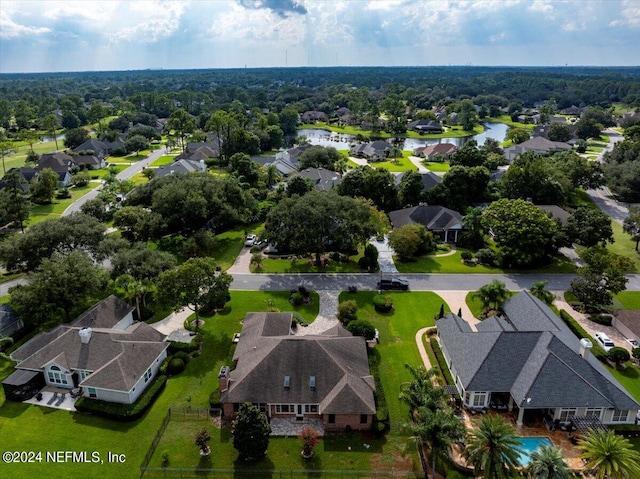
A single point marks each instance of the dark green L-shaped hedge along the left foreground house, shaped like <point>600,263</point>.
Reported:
<point>123,412</point>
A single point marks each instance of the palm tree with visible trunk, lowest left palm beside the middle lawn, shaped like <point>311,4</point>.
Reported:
<point>436,429</point>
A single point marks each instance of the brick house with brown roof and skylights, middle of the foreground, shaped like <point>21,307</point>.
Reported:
<point>324,377</point>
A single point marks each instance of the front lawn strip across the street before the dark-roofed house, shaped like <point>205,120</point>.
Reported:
<point>454,264</point>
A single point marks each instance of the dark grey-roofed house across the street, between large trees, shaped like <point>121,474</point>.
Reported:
<point>441,221</point>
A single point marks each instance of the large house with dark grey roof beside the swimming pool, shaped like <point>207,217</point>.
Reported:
<point>527,360</point>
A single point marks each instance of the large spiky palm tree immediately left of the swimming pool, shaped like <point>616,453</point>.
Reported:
<point>493,448</point>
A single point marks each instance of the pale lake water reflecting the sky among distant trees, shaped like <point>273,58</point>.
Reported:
<point>342,141</point>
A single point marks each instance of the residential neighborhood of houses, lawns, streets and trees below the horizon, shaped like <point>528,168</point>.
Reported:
<point>311,286</point>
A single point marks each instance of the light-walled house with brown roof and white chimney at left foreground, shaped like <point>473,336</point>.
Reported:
<point>103,354</point>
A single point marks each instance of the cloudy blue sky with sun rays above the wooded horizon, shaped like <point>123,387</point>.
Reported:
<point>45,36</point>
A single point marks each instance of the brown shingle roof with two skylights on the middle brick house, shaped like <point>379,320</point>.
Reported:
<point>338,363</point>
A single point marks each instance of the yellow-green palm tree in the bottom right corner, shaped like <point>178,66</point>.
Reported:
<point>610,456</point>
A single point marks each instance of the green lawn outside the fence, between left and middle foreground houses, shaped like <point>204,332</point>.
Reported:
<point>23,429</point>
